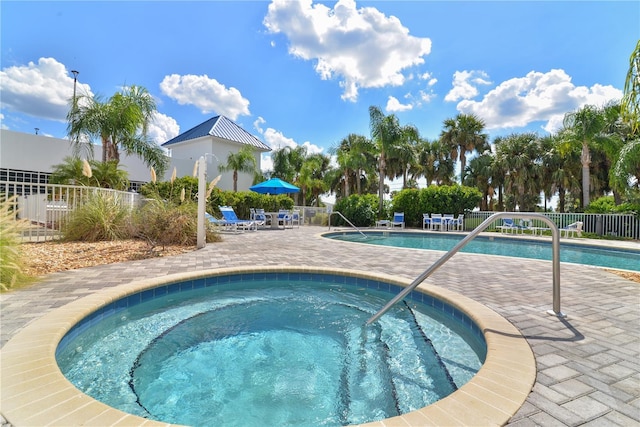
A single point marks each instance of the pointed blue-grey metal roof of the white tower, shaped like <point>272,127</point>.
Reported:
<point>220,127</point>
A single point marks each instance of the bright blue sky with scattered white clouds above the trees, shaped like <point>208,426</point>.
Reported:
<point>306,72</point>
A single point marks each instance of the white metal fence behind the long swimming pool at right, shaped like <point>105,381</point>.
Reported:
<point>618,225</point>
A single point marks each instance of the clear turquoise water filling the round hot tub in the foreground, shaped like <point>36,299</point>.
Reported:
<point>271,350</point>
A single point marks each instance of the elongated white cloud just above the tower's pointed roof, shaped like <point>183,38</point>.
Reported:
<point>205,93</point>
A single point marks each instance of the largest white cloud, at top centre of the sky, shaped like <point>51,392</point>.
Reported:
<point>363,48</point>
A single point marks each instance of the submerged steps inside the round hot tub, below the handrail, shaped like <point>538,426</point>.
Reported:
<point>396,372</point>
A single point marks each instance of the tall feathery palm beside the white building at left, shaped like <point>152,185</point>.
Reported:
<point>121,123</point>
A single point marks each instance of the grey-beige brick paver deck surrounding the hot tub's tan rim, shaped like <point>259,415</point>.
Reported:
<point>588,365</point>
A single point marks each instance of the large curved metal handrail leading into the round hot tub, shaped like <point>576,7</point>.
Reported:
<point>555,245</point>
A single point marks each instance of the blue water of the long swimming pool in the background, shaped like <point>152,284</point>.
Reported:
<point>521,248</point>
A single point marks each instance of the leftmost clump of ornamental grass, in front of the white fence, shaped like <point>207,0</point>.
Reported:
<point>102,217</point>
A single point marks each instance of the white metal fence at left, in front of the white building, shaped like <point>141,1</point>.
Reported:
<point>46,207</point>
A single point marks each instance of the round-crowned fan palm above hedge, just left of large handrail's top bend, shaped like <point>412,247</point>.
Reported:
<point>464,134</point>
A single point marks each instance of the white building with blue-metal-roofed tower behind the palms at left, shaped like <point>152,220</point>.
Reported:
<point>31,158</point>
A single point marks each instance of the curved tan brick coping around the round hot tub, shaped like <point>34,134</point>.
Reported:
<point>35,392</point>
